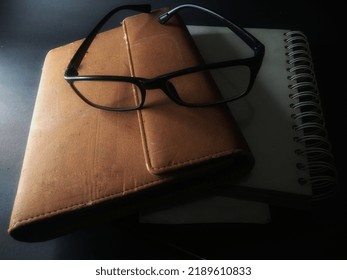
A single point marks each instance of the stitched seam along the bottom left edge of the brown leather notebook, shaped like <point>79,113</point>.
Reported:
<point>100,199</point>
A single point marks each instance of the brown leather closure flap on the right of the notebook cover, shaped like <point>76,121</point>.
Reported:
<point>175,137</point>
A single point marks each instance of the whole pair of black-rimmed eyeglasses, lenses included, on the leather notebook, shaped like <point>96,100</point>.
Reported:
<point>117,88</point>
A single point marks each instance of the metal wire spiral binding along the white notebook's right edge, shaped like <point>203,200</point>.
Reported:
<point>309,128</point>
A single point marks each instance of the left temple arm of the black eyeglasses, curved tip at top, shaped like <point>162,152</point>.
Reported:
<point>77,58</point>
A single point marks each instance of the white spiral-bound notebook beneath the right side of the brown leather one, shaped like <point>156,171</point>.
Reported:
<point>283,122</point>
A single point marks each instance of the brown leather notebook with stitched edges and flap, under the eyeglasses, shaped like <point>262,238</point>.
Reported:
<point>84,165</point>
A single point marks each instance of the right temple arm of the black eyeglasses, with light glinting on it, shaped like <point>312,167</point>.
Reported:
<point>248,38</point>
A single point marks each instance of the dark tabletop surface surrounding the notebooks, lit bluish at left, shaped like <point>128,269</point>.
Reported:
<point>29,29</point>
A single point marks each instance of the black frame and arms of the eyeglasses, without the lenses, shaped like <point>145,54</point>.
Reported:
<point>162,81</point>
